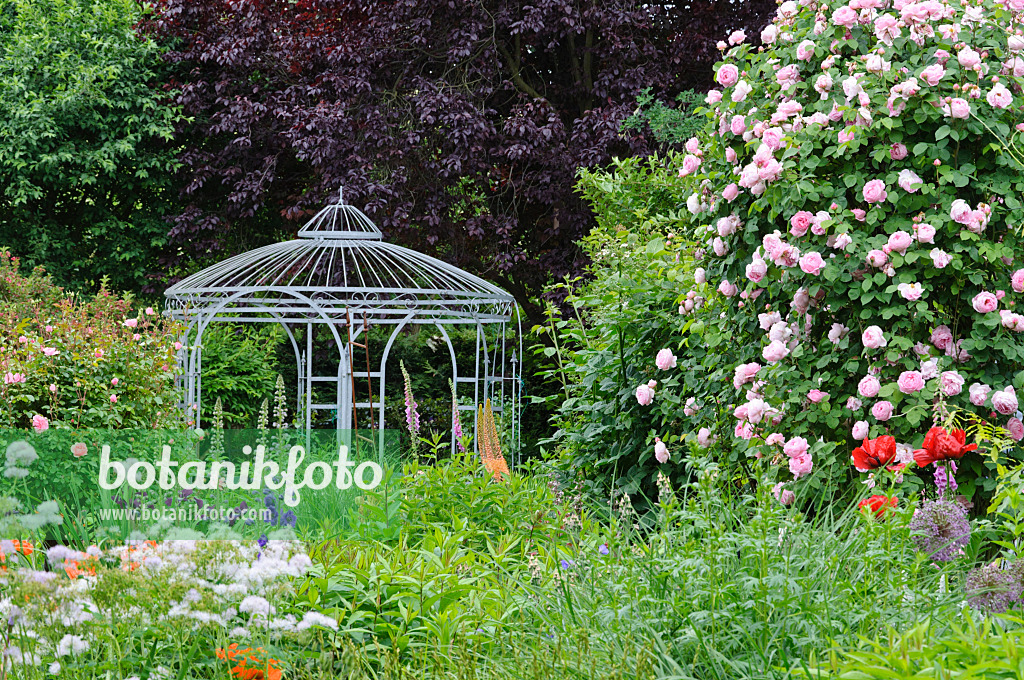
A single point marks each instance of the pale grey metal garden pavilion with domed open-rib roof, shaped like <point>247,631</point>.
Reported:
<point>339,277</point>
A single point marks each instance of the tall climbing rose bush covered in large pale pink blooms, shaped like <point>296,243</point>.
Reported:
<point>857,202</point>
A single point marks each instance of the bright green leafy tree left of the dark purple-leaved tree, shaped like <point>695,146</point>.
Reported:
<point>86,160</point>
